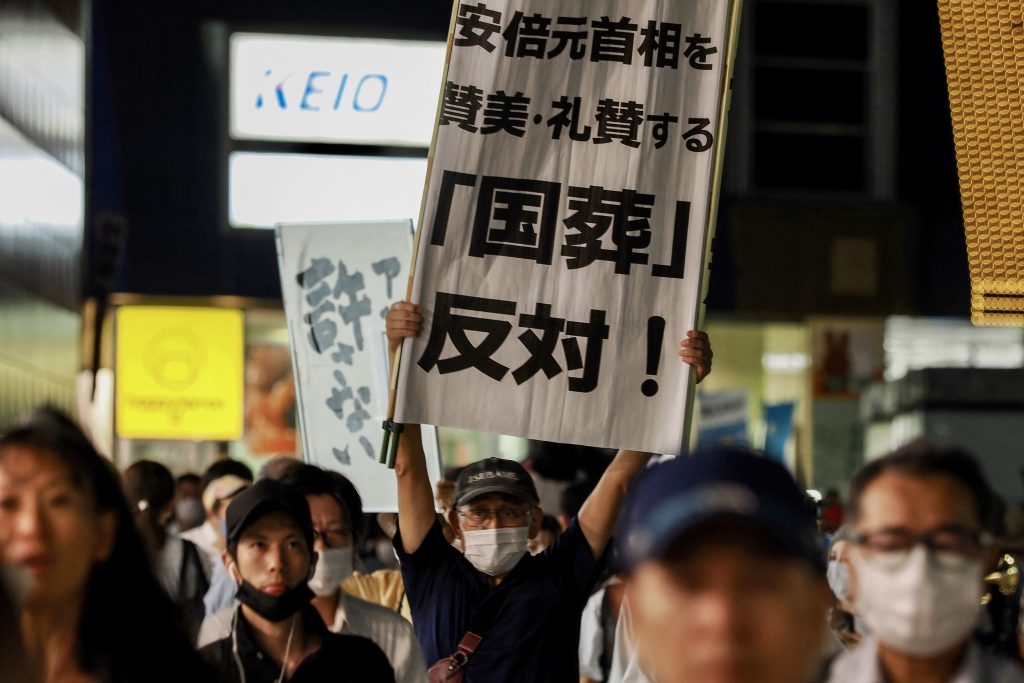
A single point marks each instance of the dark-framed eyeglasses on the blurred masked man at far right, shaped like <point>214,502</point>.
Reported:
<point>949,545</point>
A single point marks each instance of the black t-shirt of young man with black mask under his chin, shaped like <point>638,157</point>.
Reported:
<point>342,659</point>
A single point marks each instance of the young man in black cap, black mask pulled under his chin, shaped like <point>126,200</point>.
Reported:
<point>276,633</point>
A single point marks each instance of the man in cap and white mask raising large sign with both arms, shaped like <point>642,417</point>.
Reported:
<point>497,613</point>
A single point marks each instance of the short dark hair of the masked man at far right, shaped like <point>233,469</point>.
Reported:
<point>922,458</point>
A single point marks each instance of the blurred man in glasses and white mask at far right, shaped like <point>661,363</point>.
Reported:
<point>919,554</point>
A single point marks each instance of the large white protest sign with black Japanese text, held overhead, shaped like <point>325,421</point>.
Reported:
<point>563,242</point>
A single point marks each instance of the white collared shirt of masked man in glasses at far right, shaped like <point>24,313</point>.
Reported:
<point>863,666</point>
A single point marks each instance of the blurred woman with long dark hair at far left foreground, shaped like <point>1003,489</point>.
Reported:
<point>95,611</point>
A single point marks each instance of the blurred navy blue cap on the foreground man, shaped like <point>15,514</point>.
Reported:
<point>675,497</point>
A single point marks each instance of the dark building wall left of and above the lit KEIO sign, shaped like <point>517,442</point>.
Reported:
<point>162,62</point>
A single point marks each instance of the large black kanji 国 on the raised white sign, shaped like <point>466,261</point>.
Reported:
<point>517,219</point>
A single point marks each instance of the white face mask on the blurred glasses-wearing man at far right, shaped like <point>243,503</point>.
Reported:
<point>923,607</point>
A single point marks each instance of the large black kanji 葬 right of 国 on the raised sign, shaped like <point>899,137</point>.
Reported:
<point>626,212</point>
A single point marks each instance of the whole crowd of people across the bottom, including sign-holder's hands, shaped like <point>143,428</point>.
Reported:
<point>575,567</point>
